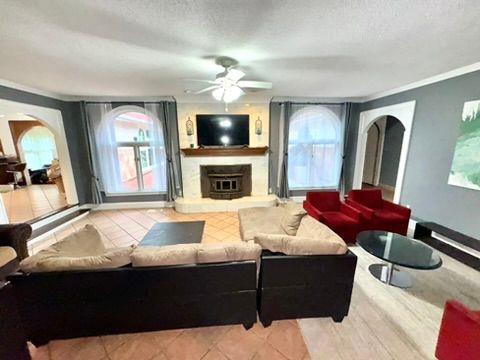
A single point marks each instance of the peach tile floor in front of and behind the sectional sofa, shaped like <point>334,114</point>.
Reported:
<point>282,340</point>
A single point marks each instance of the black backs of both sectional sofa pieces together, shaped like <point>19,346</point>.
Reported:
<point>69,304</point>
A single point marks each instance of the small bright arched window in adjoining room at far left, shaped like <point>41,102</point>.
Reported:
<point>38,147</point>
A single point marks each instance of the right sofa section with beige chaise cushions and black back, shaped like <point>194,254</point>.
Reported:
<point>305,284</point>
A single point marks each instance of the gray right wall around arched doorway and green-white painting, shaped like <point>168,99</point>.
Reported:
<point>435,130</point>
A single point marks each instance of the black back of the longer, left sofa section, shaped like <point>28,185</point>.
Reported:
<point>61,305</point>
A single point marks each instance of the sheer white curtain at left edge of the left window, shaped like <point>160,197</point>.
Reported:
<point>107,163</point>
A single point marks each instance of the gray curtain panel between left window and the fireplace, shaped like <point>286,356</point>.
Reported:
<point>168,118</point>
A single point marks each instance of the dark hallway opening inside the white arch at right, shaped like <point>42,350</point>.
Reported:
<point>382,155</point>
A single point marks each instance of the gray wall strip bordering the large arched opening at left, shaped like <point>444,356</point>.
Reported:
<point>74,130</point>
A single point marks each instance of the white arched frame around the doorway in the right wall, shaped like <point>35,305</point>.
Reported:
<point>404,114</point>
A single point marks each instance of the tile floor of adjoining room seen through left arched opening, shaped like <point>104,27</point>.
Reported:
<point>32,201</point>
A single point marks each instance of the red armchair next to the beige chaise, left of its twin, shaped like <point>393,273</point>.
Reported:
<point>326,207</point>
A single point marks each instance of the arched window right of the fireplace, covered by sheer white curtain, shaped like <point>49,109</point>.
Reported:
<point>314,148</point>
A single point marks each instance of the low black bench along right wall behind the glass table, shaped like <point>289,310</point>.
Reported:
<point>457,245</point>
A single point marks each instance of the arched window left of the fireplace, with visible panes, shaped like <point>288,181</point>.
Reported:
<point>132,152</point>
